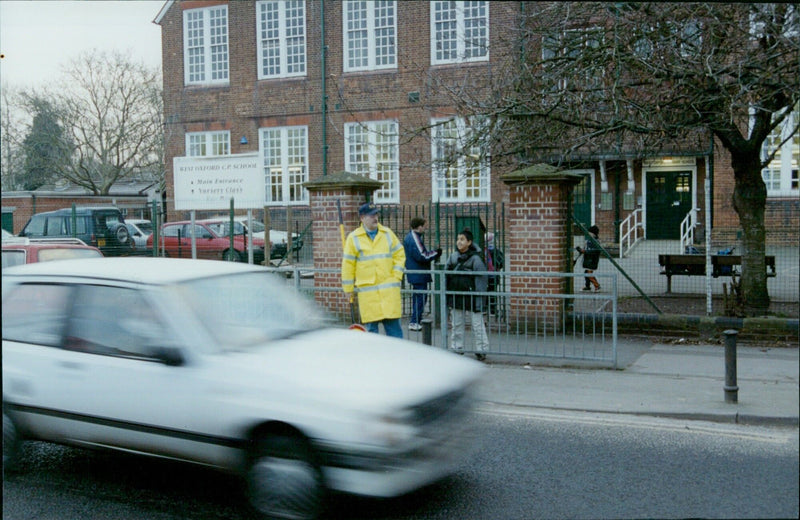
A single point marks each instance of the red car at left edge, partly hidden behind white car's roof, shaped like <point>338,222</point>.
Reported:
<point>19,250</point>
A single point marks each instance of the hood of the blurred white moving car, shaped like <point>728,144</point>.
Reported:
<point>356,369</point>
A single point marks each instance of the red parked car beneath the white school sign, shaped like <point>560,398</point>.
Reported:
<point>212,241</point>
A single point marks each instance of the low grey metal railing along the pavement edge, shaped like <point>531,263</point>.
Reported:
<point>526,323</point>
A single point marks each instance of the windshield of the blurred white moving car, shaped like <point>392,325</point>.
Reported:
<point>248,309</point>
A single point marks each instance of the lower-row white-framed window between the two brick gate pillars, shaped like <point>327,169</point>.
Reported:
<point>461,172</point>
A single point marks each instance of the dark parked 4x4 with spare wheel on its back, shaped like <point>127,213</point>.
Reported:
<point>102,227</point>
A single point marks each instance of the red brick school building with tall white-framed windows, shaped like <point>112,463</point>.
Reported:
<point>318,87</point>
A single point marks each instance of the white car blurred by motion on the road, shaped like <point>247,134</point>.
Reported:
<point>223,364</point>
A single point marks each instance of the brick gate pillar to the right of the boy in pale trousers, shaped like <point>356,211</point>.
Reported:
<point>538,220</point>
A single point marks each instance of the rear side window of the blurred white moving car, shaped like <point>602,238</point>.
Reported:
<point>36,313</point>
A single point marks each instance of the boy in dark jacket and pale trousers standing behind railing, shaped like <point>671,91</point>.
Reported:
<point>463,262</point>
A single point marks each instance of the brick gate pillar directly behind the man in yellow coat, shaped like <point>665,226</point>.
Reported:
<point>326,194</point>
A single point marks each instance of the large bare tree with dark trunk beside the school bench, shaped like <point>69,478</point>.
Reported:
<point>591,80</point>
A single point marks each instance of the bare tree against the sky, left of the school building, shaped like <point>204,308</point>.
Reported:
<point>112,110</point>
